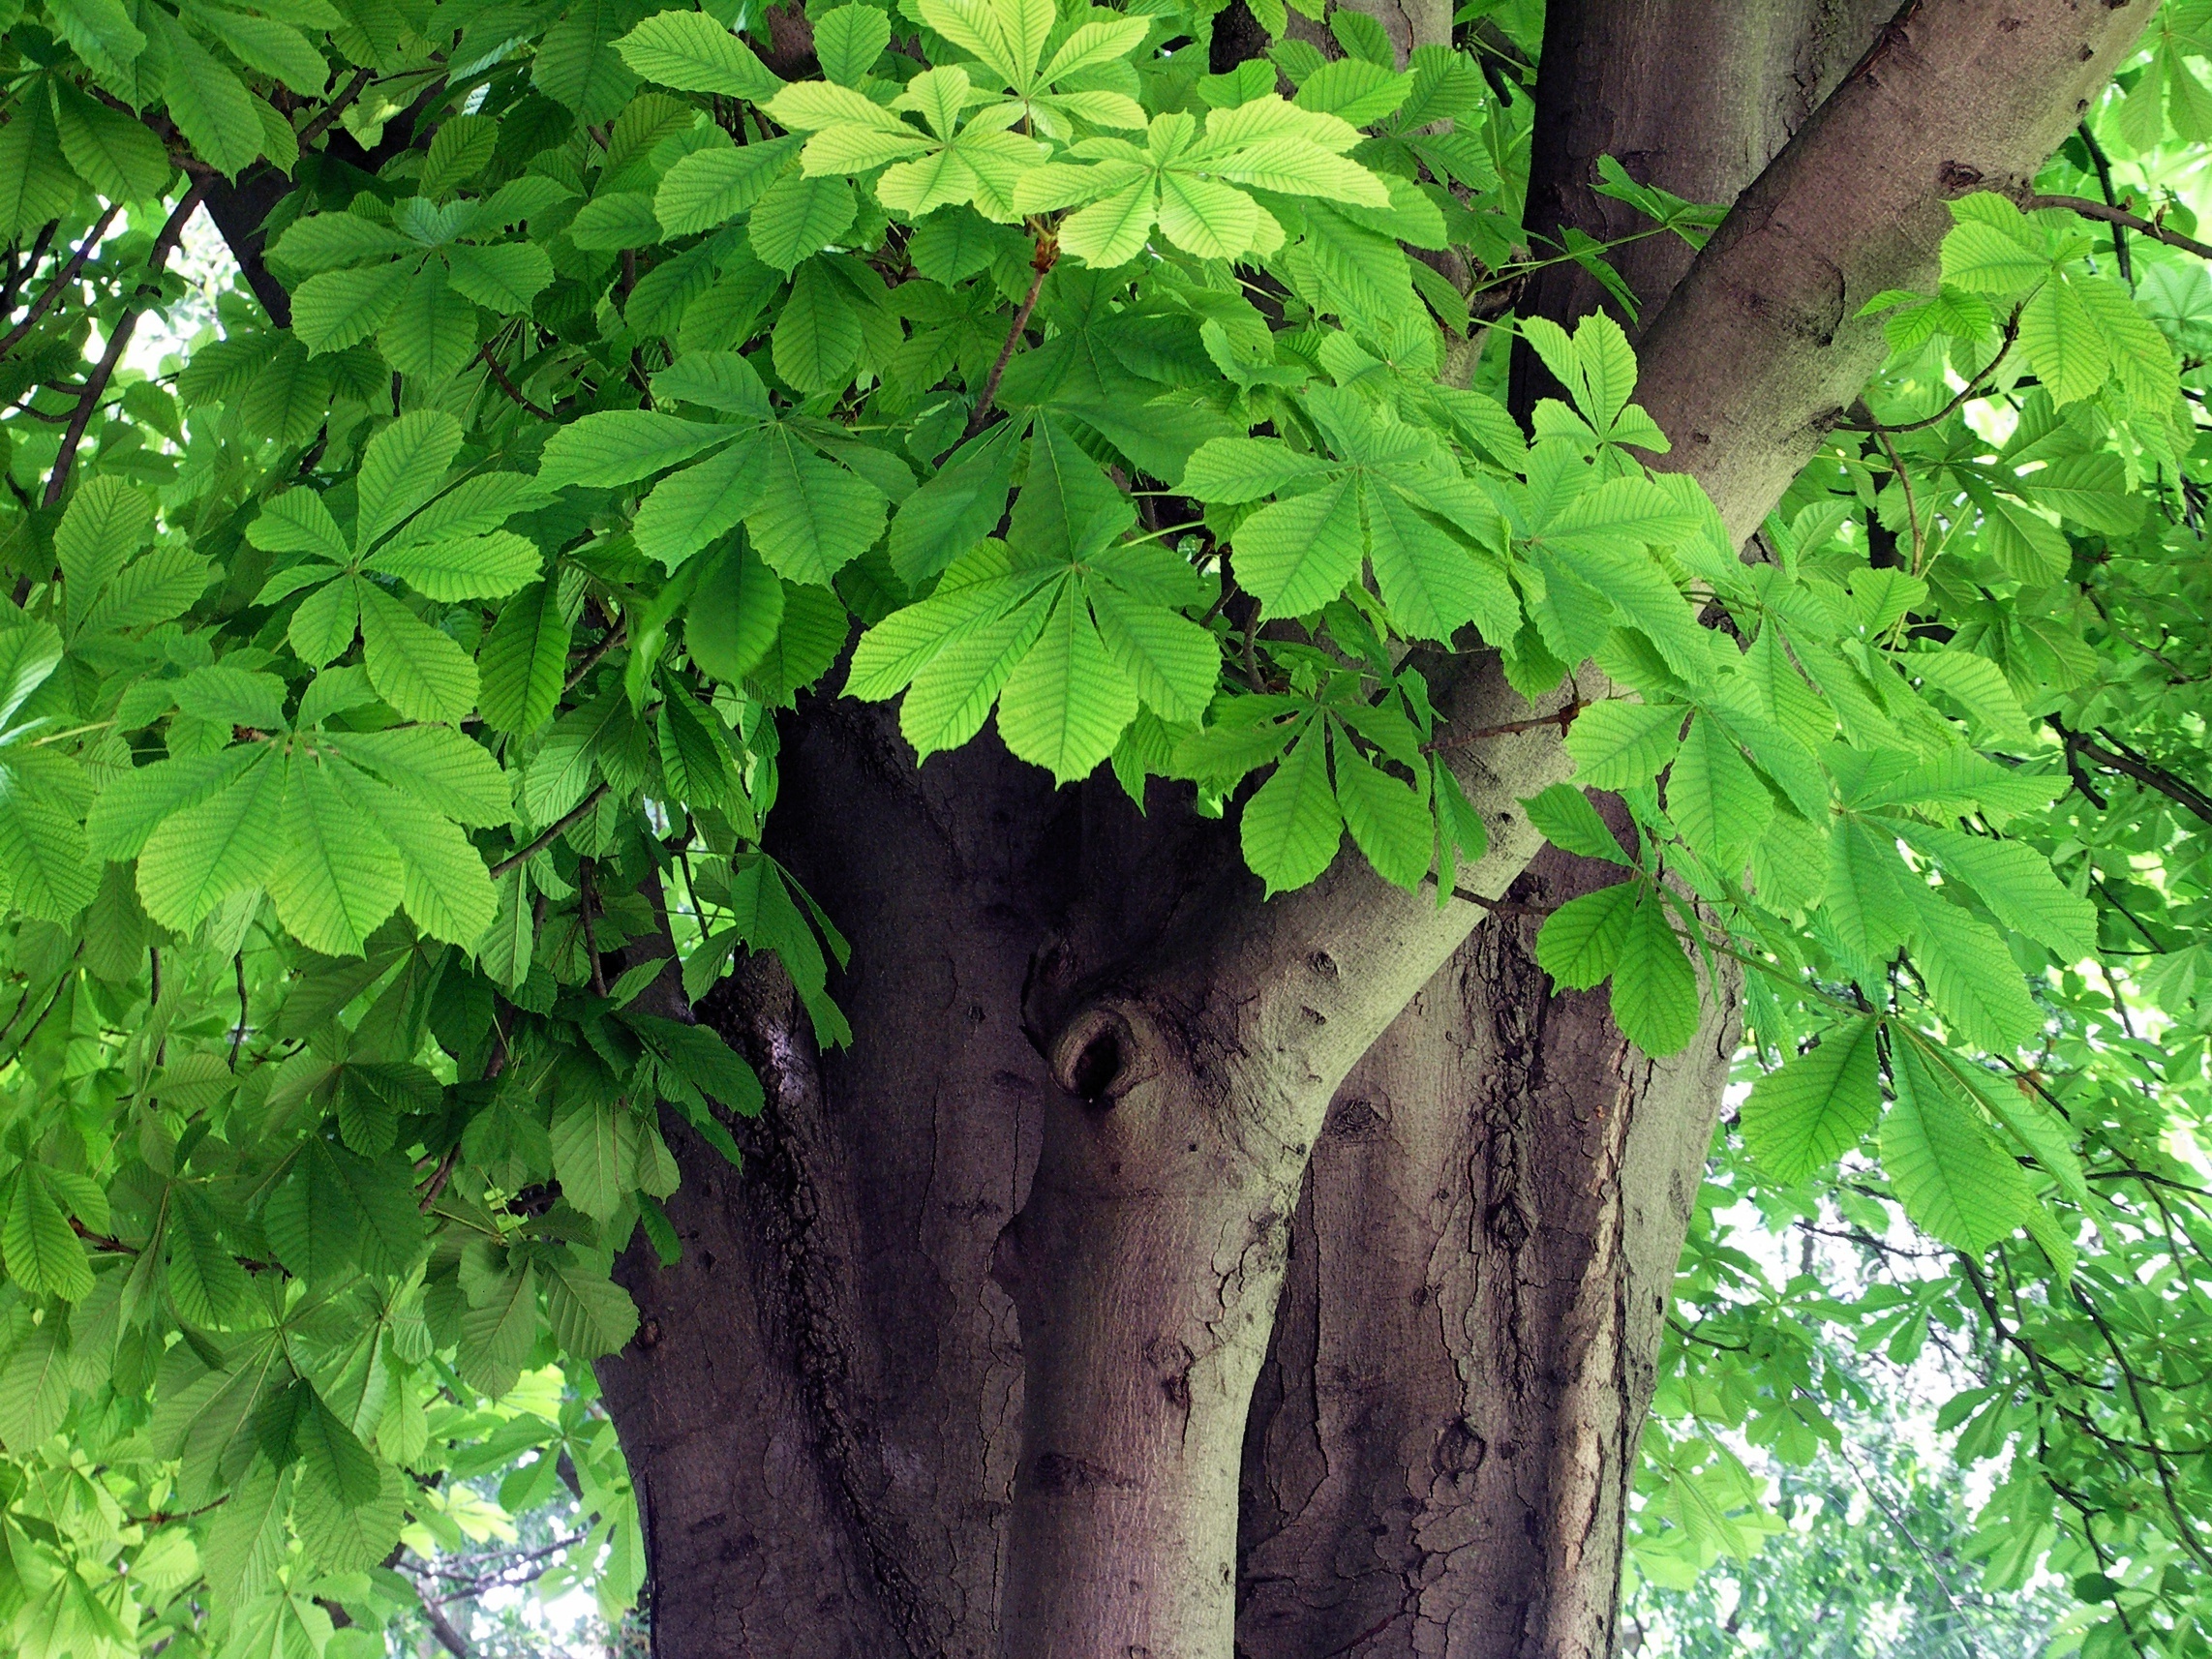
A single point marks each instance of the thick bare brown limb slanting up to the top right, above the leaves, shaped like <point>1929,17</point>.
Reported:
<point>1762,346</point>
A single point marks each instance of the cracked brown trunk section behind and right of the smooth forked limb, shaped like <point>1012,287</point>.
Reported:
<point>1448,1426</point>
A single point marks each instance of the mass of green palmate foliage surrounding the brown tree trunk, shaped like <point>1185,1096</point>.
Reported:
<point>388,720</point>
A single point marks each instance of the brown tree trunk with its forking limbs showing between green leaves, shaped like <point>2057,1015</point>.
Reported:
<point>1165,1271</point>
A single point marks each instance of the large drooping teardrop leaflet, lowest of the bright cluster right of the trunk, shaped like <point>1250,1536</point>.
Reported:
<point>1948,1169</point>
